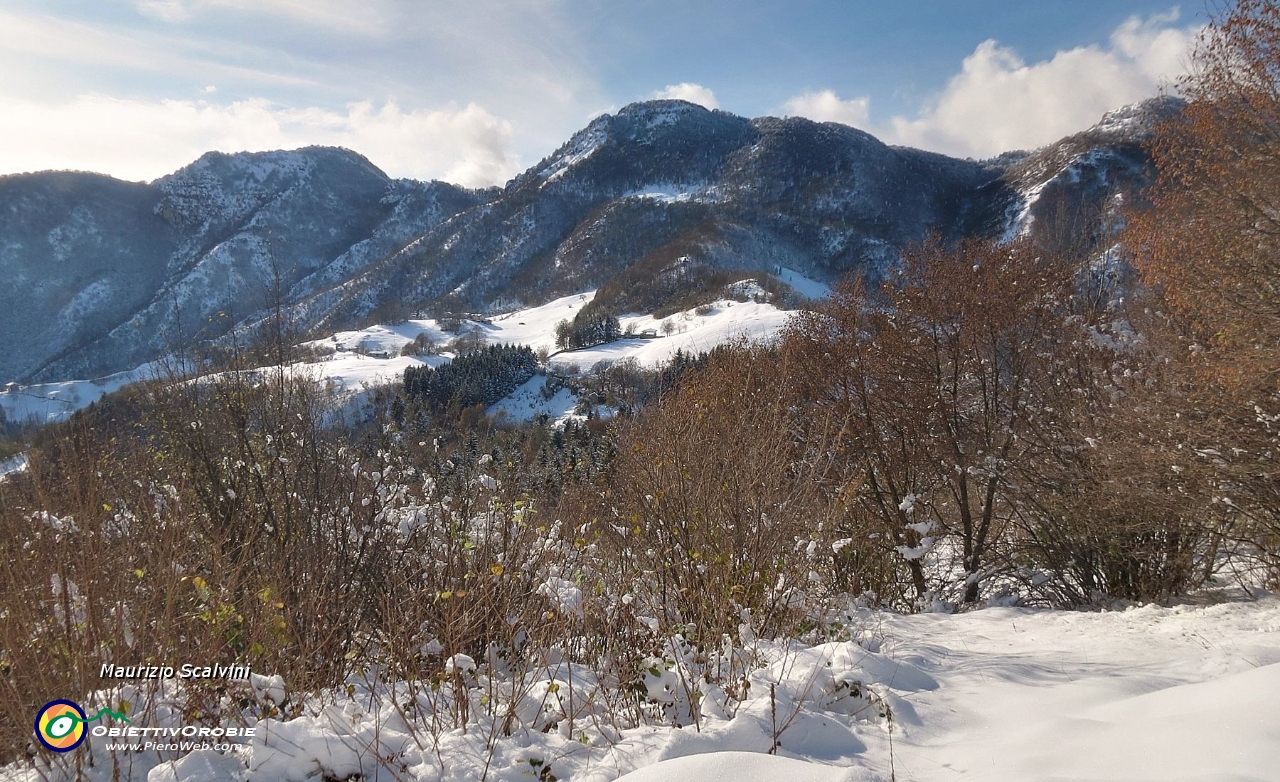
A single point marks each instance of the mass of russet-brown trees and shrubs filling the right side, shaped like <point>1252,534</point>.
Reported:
<point>988,423</point>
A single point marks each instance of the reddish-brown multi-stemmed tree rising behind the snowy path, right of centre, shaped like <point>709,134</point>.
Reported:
<point>940,390</point>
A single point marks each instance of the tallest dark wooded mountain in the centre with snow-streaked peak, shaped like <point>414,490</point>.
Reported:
<point>665,191</point>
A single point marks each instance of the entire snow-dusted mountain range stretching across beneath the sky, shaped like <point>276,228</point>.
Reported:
<point>653,205</point>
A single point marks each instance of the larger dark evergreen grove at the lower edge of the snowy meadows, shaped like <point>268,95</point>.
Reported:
<point>481,378</point>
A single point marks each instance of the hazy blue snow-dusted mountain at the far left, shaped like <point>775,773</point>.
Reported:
<point>106,276</point>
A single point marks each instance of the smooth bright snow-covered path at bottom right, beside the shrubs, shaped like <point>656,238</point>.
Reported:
<point>1162,694</point>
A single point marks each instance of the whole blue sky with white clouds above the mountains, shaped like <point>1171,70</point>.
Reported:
<point>476,92</point>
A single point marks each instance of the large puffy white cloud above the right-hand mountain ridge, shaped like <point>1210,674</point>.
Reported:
<point>998,102</point>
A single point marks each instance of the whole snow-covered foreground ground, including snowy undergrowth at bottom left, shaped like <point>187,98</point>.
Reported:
<point>1002,694</point>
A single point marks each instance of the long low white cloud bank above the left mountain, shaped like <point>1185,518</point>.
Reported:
<point>144,140</point>
